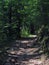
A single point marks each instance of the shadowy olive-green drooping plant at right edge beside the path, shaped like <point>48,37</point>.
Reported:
<point>43,38</point>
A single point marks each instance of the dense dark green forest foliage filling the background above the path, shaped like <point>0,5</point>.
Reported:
<point>17,15</point>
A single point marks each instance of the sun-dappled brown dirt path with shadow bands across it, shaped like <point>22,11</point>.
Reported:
<point>26,52</point>
